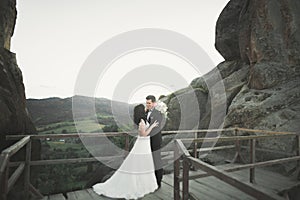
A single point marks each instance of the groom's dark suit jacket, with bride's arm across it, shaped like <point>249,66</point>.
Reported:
<point>155,134</point>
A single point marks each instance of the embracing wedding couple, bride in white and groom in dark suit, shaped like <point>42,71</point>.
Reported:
<point>141,172</point>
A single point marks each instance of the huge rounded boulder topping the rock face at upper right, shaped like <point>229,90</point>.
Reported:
<point>259,31</point>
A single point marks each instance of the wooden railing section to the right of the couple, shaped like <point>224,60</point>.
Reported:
<point>182,156</point>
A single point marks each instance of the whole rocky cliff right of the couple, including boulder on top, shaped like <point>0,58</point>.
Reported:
<point>260,42</point>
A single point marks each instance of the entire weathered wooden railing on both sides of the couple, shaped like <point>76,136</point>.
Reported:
<point>180,151</point>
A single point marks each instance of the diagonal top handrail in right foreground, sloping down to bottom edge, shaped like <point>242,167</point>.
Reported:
<point>245,187</point>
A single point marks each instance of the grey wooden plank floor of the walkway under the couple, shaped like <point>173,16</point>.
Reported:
<point>202,188</point>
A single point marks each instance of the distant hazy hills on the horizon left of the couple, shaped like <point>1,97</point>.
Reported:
<point>45,112</point>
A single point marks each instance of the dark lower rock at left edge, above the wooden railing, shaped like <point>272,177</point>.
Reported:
<point>13,116</point>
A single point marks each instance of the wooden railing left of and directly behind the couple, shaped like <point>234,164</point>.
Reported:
<point>23,167</point>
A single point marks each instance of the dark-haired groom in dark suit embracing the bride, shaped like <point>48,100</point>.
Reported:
<point>155,136</point>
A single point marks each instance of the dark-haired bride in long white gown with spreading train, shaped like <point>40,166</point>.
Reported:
<point>135,177</point>
